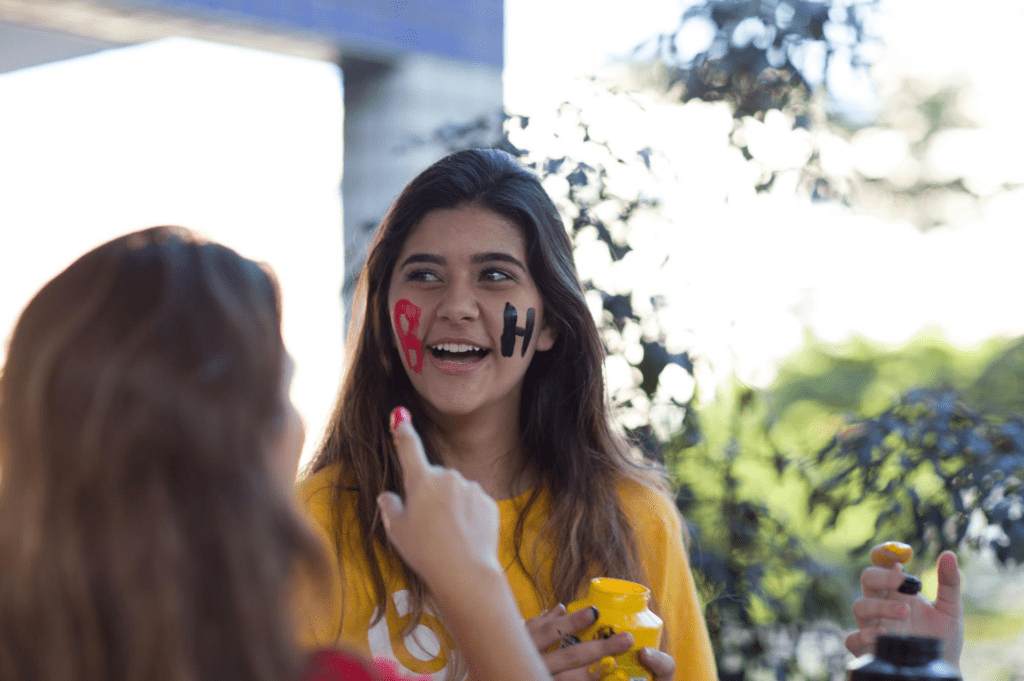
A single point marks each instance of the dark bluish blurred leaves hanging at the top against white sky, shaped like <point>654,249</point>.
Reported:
<point>769,60</point>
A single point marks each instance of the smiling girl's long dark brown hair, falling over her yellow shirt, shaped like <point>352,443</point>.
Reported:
<point>565,425</point>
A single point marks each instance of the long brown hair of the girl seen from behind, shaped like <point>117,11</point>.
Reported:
<point>144,536</point>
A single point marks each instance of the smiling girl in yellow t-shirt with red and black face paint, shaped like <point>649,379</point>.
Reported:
<point>471,312</point>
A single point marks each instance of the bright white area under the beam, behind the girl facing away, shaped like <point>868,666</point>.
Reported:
<point>241,146</point>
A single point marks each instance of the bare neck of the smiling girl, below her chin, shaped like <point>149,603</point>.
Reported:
<point>486,447</point>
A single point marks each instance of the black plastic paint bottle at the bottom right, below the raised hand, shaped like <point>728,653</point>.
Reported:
<point>904,659</point>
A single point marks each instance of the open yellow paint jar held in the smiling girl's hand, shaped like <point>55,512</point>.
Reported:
<point>622,607</point>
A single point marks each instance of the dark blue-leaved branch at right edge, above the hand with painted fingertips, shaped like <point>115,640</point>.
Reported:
<point>945,474</point>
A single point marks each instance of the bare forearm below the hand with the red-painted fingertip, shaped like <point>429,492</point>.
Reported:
<point>485,620</point>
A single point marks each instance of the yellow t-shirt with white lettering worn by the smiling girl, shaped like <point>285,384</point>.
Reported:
<point>425,650</point>
